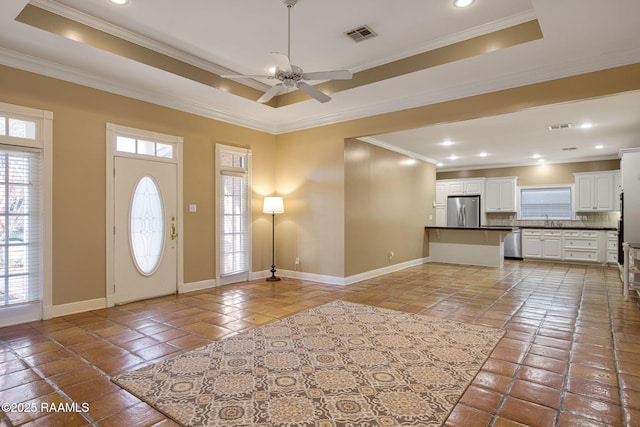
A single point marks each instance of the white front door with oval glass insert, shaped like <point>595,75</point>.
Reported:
<point>145,232</point>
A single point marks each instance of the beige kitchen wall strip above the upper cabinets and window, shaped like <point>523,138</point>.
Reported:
<point>558,173</point>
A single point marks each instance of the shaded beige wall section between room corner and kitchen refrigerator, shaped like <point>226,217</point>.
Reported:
<point>387,204</point>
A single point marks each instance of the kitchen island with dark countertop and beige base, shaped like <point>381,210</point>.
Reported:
<point>465,245</point>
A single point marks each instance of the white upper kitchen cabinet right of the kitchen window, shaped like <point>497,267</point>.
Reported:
<point>595,191</point>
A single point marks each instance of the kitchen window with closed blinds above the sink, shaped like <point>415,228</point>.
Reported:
<point>546,202</point>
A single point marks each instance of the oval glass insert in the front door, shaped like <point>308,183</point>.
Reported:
<point>146,226</point>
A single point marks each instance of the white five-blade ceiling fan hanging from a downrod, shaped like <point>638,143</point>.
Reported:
<point>291,76</point>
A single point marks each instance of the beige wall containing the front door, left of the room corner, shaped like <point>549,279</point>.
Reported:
<point>80,115</point>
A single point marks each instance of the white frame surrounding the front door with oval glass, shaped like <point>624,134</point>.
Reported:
<point>112,131</point>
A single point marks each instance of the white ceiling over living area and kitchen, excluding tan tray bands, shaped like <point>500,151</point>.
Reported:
<point>579,36</point>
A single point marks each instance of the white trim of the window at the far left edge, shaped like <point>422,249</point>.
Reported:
<point>44,141</point>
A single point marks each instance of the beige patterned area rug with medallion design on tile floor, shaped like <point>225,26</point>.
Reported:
<point>340,364</point>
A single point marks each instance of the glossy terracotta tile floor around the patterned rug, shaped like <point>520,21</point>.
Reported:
<point>570,356</point>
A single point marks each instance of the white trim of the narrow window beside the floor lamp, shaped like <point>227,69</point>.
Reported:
<point>218,210</point>
